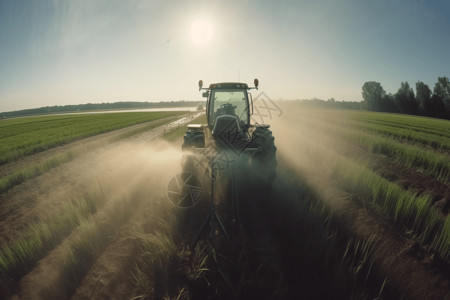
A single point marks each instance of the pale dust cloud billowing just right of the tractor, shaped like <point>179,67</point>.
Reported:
<point>306,147</point>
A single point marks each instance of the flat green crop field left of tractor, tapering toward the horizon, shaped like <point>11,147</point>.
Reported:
<point>24,136</point>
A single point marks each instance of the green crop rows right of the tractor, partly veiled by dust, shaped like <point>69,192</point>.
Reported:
<point>408,204</point>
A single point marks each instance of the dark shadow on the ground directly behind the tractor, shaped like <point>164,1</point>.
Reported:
<point>284,249</point>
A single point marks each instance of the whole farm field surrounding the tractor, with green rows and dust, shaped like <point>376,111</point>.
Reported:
<point>358,210</point>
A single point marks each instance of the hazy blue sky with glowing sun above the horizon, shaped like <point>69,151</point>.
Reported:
<point>59,52</point>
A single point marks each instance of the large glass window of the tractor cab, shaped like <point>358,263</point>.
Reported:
<point>229,102</point>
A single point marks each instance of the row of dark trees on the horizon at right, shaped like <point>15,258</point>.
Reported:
<point>423,102</point>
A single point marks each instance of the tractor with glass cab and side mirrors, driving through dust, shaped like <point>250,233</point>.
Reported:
<point>229,107</point>
